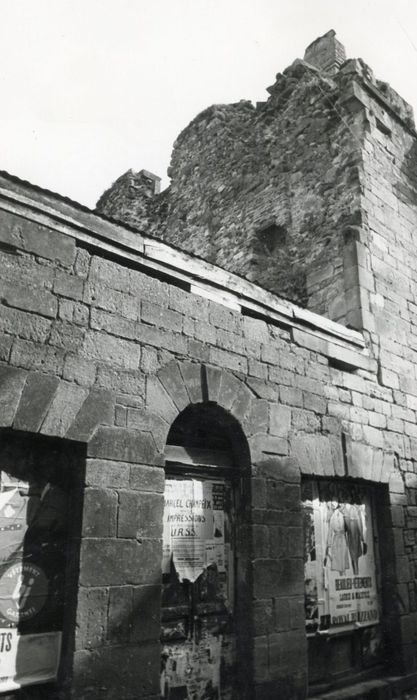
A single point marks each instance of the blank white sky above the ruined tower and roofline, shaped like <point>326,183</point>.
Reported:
<point>91,88</point>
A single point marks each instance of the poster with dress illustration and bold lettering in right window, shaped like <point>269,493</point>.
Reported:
<point>339,557</point>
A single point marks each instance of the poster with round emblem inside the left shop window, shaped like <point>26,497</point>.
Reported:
<point>33,536</point>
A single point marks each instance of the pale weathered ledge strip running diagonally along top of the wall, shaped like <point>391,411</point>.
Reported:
<point>198,276</point>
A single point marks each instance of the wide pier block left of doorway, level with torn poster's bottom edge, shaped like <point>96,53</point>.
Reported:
<point>118,562</point>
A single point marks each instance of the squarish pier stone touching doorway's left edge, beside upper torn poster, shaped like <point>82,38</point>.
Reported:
<point>140,515</point>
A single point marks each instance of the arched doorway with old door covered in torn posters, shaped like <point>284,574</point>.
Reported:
<point>205,558</point>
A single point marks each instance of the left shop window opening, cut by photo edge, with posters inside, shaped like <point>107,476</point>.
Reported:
<point>36,551</point>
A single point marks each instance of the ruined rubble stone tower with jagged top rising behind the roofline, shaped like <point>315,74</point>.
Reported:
<point>289,193</point>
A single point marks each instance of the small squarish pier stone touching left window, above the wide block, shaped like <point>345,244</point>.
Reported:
<point>99,513</point>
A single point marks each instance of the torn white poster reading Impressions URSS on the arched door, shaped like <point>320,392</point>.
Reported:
<point>194,524</point>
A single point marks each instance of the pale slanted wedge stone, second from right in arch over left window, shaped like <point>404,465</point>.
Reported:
<point>64,407</point>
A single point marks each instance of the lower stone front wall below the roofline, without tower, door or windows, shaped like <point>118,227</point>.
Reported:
<point>106,351</point>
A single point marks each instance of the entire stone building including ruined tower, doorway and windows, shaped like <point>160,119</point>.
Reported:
<point>208,490</point>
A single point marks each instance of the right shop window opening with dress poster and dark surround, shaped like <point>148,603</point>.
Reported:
<point>342,582</point>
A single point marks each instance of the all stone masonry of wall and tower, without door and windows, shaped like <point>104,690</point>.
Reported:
<point>107,335</point>
